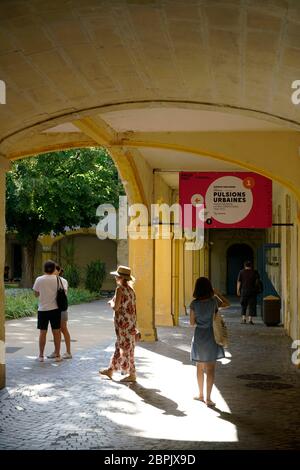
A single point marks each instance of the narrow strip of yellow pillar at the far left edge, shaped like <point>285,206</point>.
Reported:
<point>4,166</point>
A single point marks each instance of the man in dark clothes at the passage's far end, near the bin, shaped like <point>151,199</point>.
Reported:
<point>247,289</point>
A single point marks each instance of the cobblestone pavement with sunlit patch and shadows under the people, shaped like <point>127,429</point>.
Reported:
<point>69,406</point>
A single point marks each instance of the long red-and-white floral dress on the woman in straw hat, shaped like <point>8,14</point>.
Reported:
<point>125,327</point>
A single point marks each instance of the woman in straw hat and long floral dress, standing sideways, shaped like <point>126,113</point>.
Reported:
<point>124,305</point>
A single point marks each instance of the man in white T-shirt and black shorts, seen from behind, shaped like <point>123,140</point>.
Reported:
<point>45,288</point>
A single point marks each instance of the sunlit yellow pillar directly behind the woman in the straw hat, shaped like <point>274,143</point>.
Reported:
<point>141,261</point>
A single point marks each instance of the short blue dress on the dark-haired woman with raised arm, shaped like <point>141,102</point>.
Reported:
<point>204,348</point>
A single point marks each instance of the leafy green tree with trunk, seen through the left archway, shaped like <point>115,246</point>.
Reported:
<point>54,191</point>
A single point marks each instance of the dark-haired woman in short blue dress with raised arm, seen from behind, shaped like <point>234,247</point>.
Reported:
<point>205,351</point>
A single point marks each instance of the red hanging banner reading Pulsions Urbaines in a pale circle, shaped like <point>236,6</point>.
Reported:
<point>231,200</point>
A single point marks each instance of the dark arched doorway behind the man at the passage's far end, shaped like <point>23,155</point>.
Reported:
<point>237,254</point>
